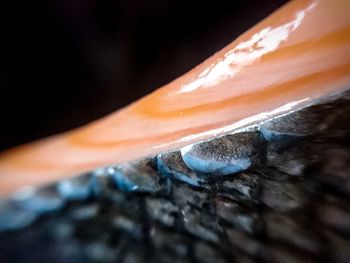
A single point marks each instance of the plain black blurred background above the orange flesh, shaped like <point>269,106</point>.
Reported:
<point>64,63</point>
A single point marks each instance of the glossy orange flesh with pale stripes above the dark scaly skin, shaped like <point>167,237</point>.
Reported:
<point>291,59</point>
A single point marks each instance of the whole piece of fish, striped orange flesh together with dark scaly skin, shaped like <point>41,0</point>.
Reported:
<point>245,158</point>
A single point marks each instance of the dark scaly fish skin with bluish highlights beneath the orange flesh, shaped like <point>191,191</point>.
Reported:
<point>291,206</point>
